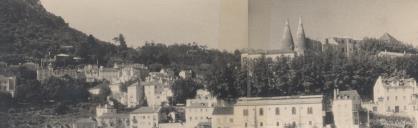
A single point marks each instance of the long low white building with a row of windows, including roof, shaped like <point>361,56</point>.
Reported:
<point>269,112</point>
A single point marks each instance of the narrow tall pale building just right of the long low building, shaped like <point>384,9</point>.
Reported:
<point>345,107</point>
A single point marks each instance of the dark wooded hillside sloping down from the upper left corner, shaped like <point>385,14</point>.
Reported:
<point>28,31</point>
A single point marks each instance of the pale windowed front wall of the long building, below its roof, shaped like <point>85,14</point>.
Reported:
<point>285,117</point>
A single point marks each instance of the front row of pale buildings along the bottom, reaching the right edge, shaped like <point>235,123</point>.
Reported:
<point>393,96</point>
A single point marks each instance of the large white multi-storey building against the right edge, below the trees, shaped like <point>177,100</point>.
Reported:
<point>394,95</point>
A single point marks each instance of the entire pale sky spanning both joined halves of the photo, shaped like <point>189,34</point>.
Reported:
<point>201,21</point>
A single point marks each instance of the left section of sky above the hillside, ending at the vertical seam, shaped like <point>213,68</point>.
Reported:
<point>162,21</point>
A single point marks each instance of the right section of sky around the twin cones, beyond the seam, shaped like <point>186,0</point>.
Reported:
<point>332,18</point>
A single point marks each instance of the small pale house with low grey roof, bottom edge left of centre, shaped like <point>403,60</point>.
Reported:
<point>145,117</point>
